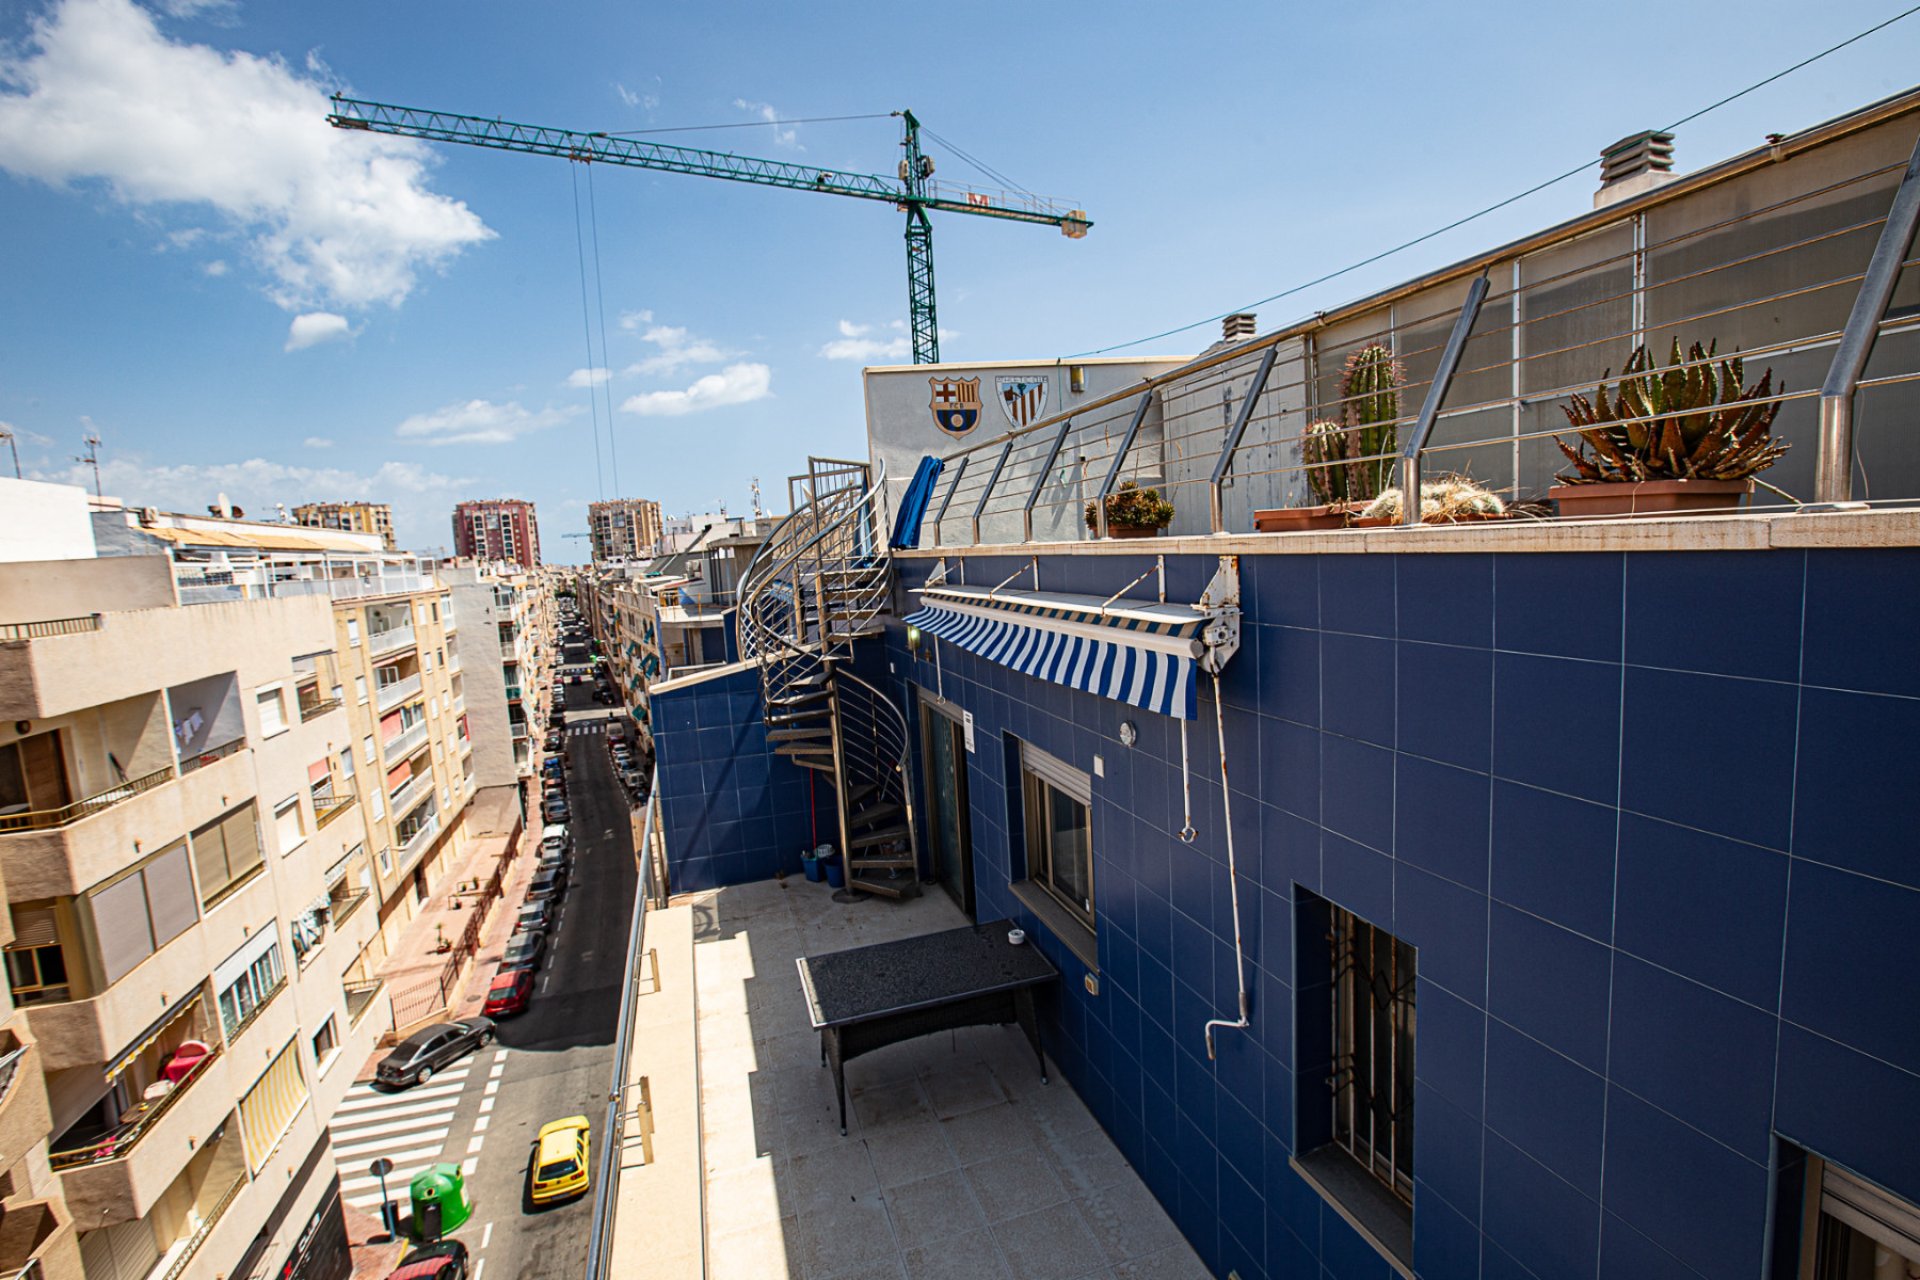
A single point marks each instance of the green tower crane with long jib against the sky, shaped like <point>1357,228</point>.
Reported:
<point>913,191</point>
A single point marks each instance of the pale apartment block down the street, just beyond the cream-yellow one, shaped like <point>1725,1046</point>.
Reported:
<point>510,628</point>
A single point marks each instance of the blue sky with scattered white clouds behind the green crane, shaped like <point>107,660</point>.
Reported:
<point>243,300</point>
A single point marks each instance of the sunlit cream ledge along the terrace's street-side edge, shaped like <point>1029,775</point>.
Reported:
<point>660,1216</point>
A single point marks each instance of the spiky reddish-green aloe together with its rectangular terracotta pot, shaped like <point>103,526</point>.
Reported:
<point>1669,440</point>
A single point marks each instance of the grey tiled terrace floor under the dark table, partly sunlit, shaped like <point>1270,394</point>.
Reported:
<point>957,1160</point>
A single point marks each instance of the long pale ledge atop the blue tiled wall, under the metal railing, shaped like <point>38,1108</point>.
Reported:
<point>1733,533</point>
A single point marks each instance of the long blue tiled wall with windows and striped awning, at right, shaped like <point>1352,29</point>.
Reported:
<point>1646,820</point>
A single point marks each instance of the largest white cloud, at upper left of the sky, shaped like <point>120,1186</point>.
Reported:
<point>99,93</point>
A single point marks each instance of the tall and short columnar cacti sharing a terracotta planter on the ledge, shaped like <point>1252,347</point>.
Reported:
<point>1349,462</point>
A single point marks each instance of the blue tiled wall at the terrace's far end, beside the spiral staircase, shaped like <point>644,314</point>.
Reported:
<point>732,811</point>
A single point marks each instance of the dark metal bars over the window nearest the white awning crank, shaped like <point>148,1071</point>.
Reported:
<point>1372,1079</point>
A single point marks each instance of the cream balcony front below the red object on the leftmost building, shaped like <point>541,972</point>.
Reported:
<point>124,1173</point>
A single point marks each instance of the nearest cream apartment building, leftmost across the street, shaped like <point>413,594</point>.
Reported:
<point>183,853</point>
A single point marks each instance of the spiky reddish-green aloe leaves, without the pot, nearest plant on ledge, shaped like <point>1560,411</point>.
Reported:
<point>1692,421</point>
